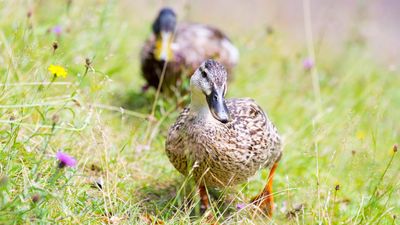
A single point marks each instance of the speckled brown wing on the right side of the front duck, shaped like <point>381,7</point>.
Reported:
<point>254,130</point>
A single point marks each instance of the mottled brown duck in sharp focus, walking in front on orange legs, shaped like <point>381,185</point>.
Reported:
<point>223,142</point>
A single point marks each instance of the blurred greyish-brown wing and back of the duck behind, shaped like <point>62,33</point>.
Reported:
<point>197,42</point>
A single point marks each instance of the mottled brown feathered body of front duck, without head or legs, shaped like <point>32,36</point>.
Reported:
<point>224,154</point>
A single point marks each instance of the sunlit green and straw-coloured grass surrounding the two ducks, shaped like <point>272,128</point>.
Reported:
<point>338,167</point>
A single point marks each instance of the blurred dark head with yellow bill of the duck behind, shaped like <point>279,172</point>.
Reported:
<point>164,28</point>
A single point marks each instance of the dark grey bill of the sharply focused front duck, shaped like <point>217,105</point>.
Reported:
<point>218,108</point>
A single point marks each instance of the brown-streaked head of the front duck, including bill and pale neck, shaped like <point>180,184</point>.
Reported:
<point>208,88</point>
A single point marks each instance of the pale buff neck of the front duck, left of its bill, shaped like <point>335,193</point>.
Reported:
<point>199,107</point>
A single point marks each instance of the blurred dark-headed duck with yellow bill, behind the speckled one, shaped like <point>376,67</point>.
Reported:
<point>177,49</point>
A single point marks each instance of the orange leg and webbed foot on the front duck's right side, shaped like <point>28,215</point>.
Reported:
<point>265,200</point>
